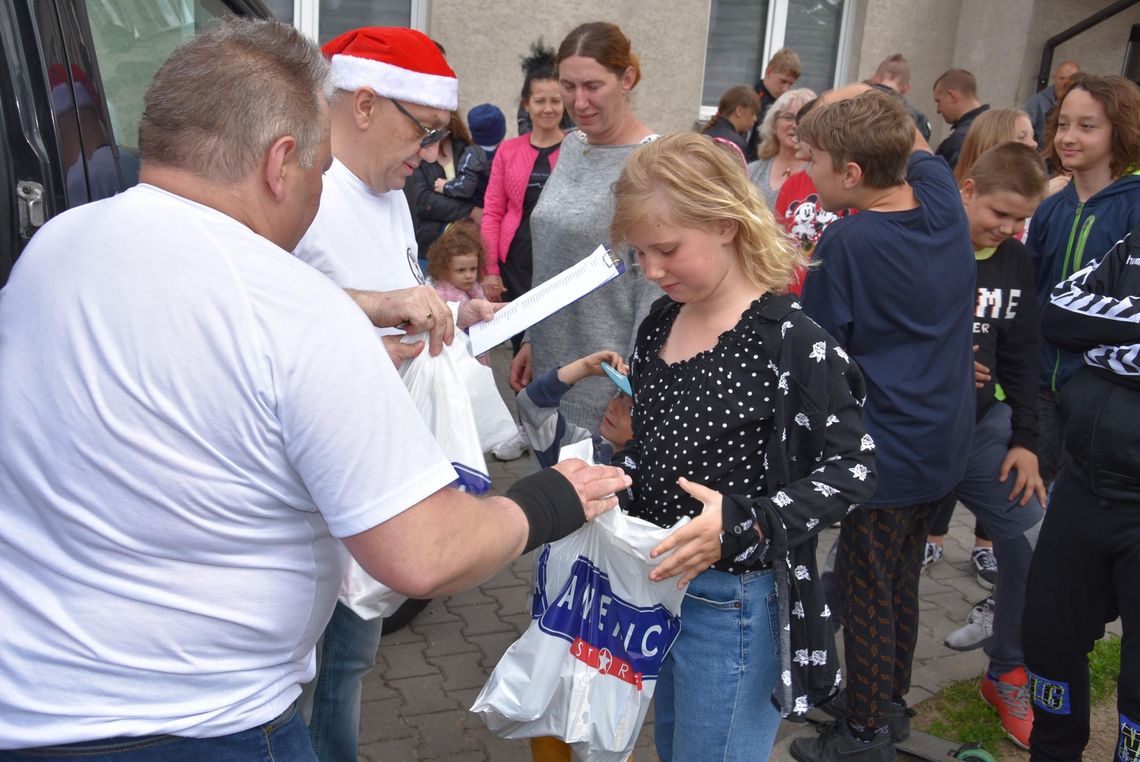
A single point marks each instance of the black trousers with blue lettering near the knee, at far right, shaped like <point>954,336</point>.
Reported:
<point>1086,572</point>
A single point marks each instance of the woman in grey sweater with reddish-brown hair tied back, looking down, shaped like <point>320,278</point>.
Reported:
<point>597,72</point>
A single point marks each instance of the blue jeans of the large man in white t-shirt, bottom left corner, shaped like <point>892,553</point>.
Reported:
<point>282,740</point>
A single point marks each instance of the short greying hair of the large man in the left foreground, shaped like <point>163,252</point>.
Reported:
<point>223,99</point>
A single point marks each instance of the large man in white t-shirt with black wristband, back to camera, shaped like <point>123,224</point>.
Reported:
<point>191,420</point>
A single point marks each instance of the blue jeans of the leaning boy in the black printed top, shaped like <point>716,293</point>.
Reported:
<point>1012,526</point>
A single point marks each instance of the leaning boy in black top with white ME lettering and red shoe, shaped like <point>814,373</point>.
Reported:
<point>1003,484</point>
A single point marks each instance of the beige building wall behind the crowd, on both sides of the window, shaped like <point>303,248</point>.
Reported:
<point>999,42</point>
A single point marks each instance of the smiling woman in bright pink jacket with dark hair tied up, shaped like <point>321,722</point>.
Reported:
<point>519,172</point>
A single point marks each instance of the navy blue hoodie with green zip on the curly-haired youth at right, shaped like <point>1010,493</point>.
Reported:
<point>1065,236</point>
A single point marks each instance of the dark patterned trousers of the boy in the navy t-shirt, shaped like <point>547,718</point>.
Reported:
<point>878,564</point>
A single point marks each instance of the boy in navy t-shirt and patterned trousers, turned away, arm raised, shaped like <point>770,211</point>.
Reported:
<point>897,288</point>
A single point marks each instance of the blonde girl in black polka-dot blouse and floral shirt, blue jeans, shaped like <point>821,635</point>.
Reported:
<point>747,419</point>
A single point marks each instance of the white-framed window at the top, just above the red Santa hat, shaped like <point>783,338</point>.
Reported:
<point>324,20</point>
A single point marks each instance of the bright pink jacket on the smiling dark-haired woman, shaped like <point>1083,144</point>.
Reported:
<point>506,192</point>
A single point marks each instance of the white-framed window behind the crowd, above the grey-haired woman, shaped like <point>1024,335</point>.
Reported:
<point>745,34</point>
